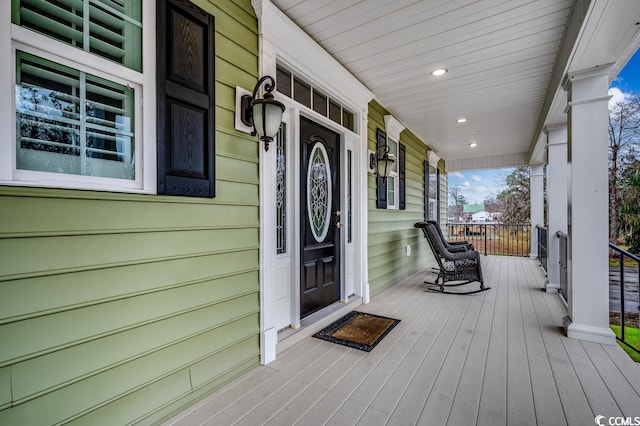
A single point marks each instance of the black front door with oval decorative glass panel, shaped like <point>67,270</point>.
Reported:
<point>319,217</point>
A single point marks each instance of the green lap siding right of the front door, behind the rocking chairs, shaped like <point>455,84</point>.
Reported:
<point>391,231</point>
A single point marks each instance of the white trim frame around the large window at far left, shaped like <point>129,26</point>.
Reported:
<point>13,37</point>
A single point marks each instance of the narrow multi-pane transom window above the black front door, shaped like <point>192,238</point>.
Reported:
<point>296,88</point>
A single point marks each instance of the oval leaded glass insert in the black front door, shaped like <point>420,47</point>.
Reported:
<point>319,192</point>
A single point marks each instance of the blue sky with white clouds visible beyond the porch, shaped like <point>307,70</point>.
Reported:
<point>479,185</point>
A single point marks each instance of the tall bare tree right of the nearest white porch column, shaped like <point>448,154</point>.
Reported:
<point>624,133</point>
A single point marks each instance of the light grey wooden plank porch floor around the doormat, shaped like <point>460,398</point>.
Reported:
<point>495,358</point>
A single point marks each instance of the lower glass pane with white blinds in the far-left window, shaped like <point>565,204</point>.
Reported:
<point>72,122</point>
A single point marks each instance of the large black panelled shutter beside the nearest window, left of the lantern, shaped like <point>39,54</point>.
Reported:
<point>186,99</point>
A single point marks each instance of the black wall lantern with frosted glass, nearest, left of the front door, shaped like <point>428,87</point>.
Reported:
<point>264,115</point>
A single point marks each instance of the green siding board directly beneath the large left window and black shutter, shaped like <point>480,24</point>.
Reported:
<point>27,213</point>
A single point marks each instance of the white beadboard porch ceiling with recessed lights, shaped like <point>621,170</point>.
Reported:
<point>500,55</point>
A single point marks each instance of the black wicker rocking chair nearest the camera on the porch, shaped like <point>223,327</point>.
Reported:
<point>455,268</point>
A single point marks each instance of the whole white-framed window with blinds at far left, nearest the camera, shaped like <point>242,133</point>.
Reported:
<point>76,73</point>
